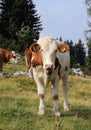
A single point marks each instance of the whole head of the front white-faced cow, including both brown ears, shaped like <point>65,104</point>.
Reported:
<point>48,49</point>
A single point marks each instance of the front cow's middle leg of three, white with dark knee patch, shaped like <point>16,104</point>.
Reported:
<point>55,97</point>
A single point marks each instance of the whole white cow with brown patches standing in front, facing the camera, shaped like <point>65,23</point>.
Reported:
<point>50,62</point>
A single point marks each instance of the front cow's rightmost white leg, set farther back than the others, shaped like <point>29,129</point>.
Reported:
<point>65,91</point>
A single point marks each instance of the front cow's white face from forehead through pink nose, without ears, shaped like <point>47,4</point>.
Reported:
<point>48,52</point>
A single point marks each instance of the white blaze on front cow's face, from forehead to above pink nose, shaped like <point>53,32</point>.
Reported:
<point>48,50</point>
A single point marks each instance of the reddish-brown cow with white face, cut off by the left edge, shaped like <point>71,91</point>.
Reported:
<point>5,56</point>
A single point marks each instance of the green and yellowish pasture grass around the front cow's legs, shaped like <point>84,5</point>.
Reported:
<point>19,103</point>
